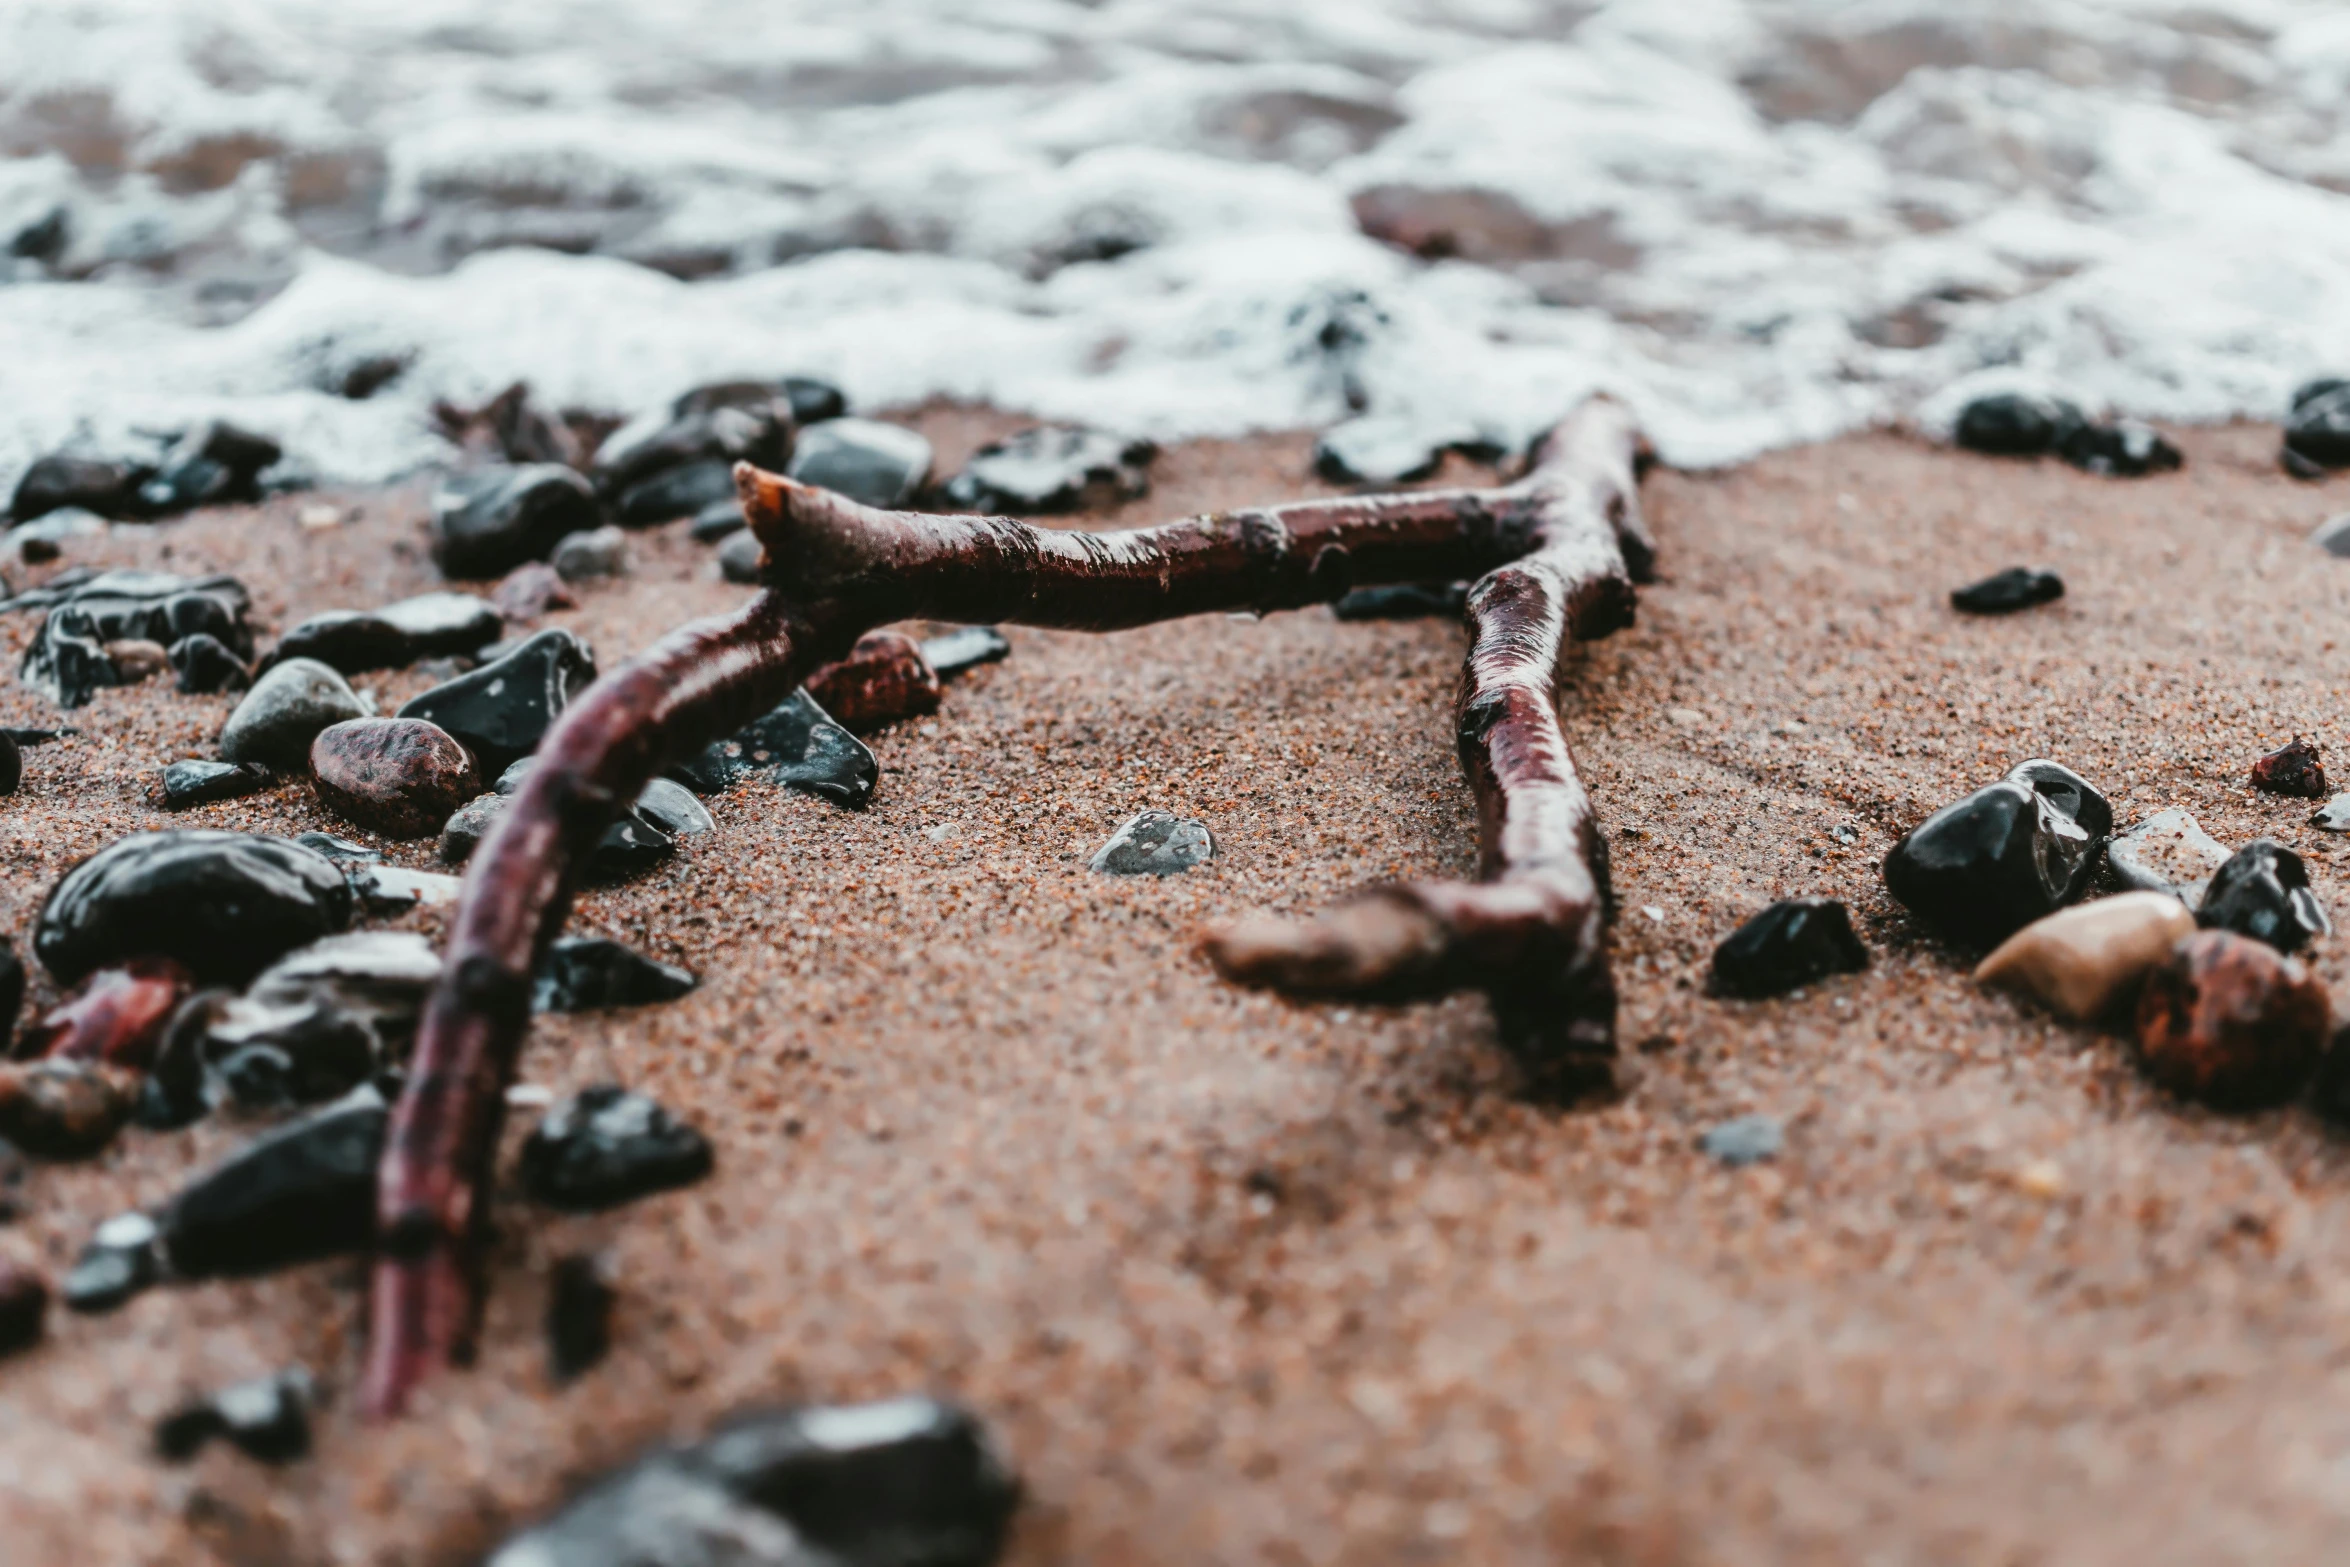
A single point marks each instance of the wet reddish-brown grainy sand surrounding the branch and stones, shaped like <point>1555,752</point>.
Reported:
<point>1247,1282</point>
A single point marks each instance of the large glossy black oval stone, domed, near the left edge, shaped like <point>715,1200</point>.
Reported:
<point>222,903</point>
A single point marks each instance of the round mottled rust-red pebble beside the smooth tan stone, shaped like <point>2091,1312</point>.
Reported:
<point>2231,1023</point>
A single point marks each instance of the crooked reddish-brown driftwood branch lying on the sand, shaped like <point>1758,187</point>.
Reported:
<point>1559,546</point>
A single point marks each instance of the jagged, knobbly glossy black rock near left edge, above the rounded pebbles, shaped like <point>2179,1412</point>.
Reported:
<point>67,659</point>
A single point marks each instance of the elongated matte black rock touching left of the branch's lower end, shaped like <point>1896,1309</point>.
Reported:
<point>300,1192</point>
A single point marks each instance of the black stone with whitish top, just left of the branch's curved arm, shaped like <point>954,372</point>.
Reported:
<point>335,1014</point>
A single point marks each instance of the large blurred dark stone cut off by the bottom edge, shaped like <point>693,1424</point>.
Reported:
<point>901,1484</point>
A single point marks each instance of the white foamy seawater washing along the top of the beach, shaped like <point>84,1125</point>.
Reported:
<point>1759,220</point>
